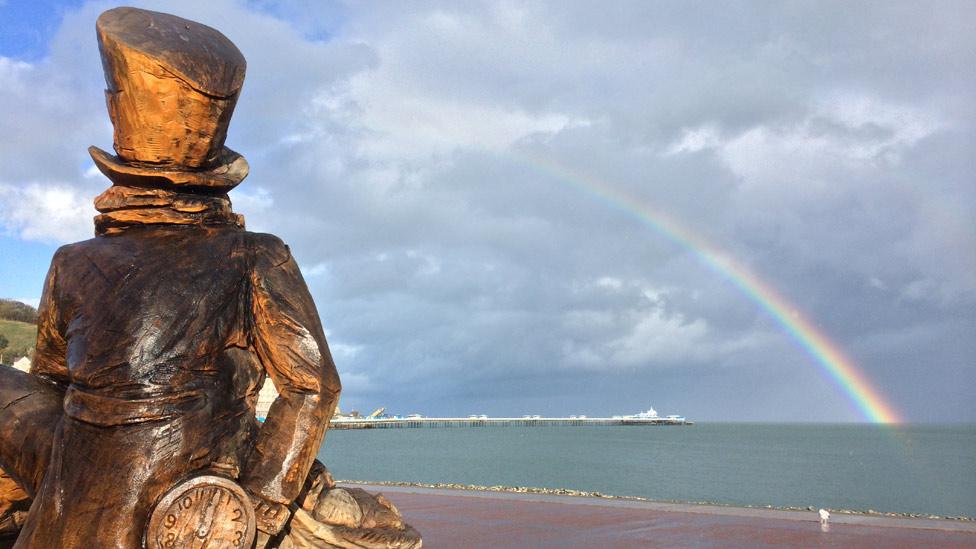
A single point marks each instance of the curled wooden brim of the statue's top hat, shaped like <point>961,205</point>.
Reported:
<point>230,170</point>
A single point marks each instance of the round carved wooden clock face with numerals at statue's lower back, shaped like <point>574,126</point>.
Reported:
<point>205,512</point>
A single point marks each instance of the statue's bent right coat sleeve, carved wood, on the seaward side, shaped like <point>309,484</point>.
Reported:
<point>287,337</point>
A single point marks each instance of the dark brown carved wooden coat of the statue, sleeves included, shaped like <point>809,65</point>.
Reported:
<point>159,337</point>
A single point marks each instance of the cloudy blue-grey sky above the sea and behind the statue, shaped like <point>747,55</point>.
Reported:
<point>563,207</point>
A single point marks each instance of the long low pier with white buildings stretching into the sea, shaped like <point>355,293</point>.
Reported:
<point>454,422</point>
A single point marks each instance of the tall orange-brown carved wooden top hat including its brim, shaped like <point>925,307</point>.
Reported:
<point>172,88</point>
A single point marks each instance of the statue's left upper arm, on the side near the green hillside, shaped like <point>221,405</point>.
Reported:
<point>50,350</point>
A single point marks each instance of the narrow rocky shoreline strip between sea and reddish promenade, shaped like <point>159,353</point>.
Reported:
<point>585,494</point>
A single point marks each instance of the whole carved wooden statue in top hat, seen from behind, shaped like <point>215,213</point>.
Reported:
<point>135,426</point>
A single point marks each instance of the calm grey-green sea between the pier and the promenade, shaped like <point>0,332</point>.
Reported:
<point>917,469</point>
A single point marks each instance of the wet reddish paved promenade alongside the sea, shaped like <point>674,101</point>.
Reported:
<point>455,518</point>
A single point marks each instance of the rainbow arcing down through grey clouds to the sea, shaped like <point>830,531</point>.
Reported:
<point>840,369</point>
